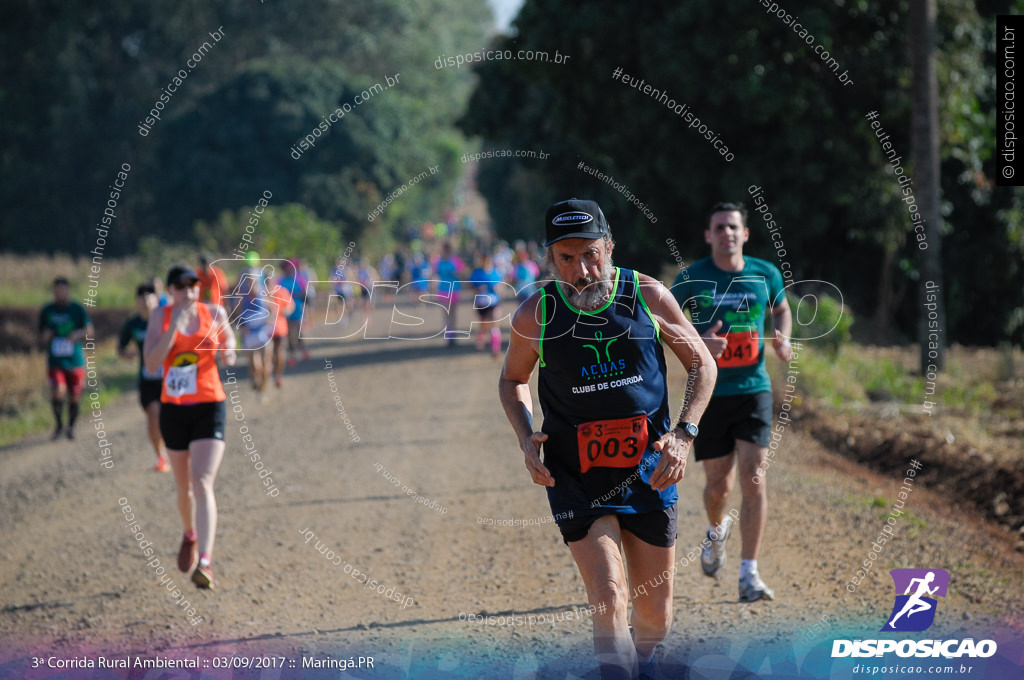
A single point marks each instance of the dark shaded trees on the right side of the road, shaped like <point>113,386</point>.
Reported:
<point>796,132</point>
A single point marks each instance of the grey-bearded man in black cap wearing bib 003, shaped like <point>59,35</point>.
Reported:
<point>611,457</point>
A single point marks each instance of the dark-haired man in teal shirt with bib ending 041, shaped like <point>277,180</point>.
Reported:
<point>729,296</point>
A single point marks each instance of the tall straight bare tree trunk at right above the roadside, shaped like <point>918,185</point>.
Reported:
<point>925,150</point>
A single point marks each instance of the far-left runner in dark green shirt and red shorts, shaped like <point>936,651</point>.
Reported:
<point>63,325</point>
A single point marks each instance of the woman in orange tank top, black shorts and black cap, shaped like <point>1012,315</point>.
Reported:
<point>185,339</point>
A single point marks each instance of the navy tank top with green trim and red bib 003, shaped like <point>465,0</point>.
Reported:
<point>606,401</point>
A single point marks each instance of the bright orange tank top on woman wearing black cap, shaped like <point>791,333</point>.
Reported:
<point>191,368</point>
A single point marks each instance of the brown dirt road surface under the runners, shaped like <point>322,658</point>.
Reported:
<point>74,581</point>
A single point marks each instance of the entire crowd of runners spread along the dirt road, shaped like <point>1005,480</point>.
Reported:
<point>611,449</point>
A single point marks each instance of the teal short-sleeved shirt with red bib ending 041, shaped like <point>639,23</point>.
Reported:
<point>740,301</point>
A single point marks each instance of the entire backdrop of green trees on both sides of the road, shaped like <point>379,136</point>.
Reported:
<point>77,78</point>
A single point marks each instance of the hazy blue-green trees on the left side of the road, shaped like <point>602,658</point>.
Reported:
<point>77,80</point>
